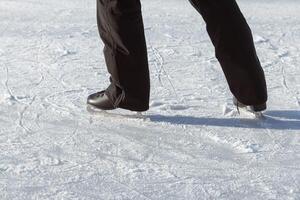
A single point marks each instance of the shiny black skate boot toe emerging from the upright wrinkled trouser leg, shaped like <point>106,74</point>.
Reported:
<point>100,100</point>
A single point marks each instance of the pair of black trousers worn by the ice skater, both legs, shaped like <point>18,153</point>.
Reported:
<point>121,29</point>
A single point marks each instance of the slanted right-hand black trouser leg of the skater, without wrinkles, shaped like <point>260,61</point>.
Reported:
<point>235,49</point>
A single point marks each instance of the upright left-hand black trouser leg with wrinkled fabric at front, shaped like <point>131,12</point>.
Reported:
<point>121,29</point>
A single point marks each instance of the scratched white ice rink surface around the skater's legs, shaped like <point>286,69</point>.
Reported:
<point>191,144</point>
